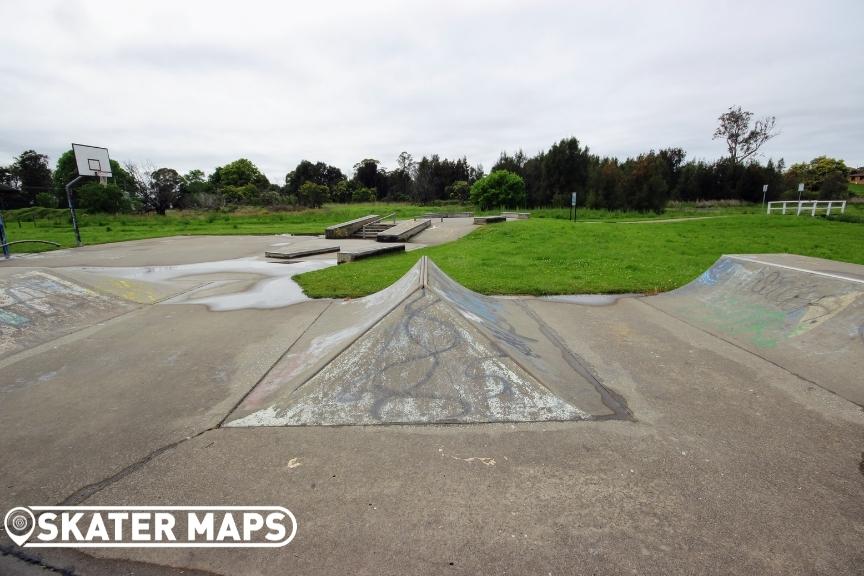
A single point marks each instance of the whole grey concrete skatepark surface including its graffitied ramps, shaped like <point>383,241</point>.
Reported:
<point>713,429</point>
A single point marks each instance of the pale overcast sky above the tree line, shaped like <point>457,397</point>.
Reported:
<point>190,84</point>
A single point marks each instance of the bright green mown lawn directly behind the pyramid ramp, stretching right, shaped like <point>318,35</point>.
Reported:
<point>553,257</point>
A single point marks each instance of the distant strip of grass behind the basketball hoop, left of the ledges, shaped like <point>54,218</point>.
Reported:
<point>54,224</point>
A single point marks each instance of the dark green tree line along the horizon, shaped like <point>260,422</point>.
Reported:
<point>646,182</point>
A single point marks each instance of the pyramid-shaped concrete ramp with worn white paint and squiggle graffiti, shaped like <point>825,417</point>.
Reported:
<point>426,350</point>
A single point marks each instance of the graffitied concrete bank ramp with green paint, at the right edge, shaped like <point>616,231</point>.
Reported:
<point>804,314</point>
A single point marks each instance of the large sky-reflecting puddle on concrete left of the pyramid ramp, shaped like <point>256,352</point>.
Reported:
<point>276,289</point>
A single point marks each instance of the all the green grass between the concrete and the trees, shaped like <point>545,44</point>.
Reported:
<point>547,254</point>
